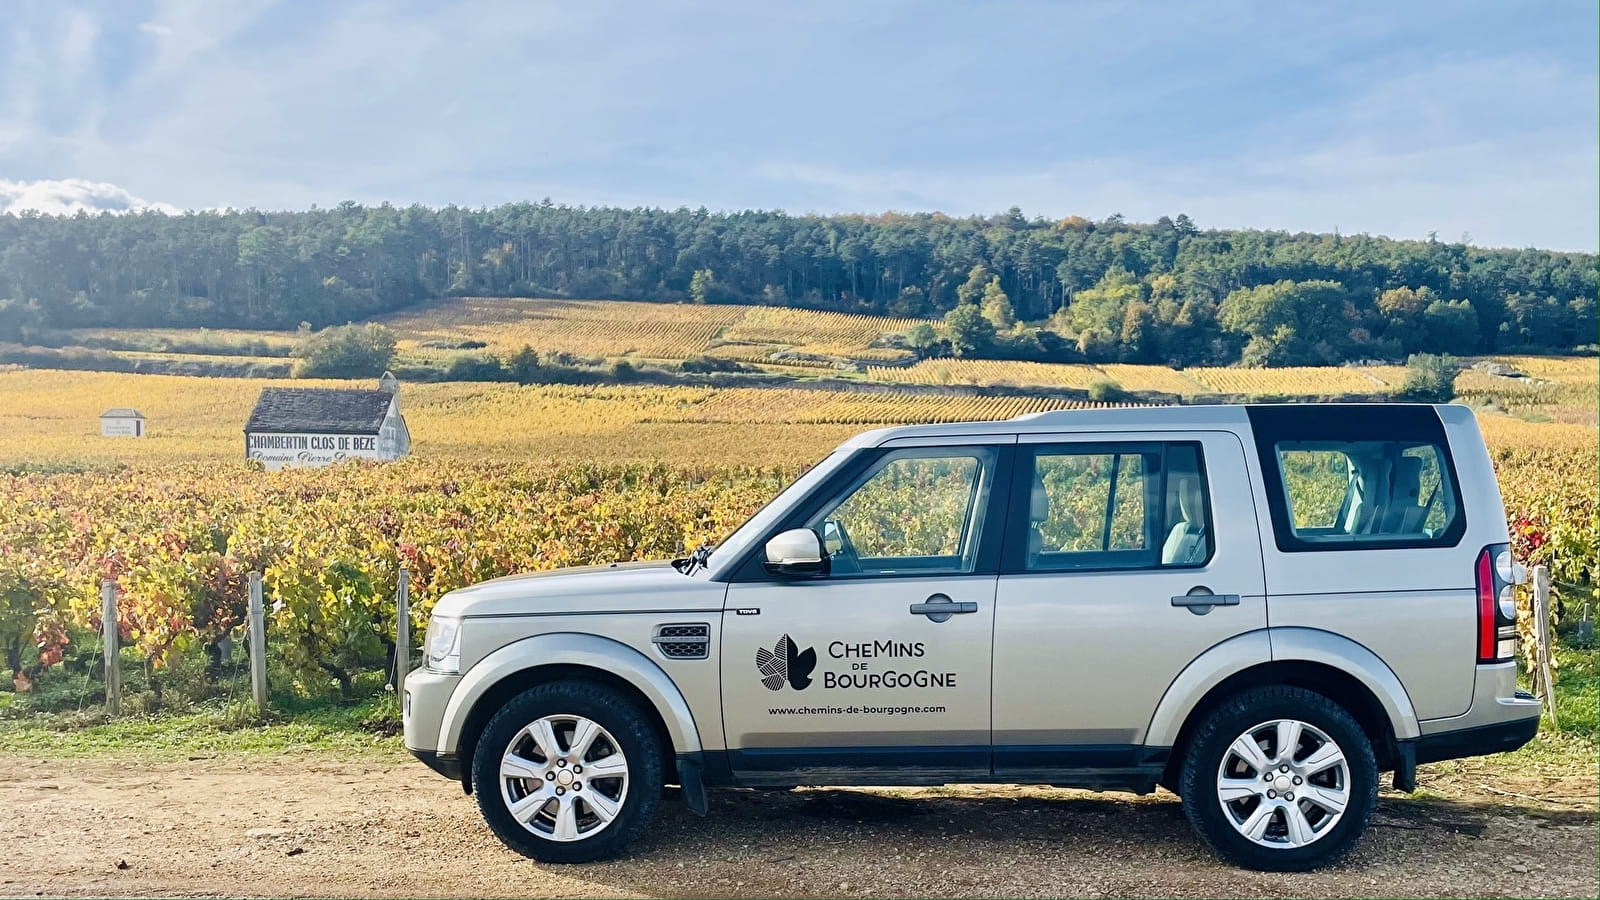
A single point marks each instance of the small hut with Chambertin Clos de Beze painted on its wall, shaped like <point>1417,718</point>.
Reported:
<point>314,427</point>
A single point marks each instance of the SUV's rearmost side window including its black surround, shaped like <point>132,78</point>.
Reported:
<point>1358,478</point>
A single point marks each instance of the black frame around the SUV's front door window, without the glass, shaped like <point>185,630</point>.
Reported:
<point>991,531</point>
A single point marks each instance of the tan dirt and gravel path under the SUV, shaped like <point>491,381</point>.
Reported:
<point>318,826</point>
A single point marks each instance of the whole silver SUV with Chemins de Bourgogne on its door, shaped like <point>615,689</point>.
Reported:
<point>1257,608</point>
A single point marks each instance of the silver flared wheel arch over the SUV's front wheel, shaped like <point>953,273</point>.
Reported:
<point>566,656</point>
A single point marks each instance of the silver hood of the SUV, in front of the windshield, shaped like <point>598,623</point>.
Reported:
<point>620,587</point>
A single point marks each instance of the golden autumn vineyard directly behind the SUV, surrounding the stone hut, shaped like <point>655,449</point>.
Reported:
<point>505,478</point>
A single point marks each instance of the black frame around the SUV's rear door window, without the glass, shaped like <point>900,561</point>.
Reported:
<point>1017,526</point>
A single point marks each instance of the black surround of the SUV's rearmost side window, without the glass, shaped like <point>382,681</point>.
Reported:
<point>1412,424</point>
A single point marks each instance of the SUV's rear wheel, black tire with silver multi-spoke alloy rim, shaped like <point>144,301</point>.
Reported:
<point>1258,827</point>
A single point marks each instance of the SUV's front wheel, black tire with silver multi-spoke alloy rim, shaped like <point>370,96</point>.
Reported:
<point>537,795</point>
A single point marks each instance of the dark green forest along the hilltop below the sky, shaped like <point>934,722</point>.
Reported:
<point>1106,292</point>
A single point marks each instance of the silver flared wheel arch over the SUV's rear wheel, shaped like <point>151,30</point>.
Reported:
<point>1332,665</point>
